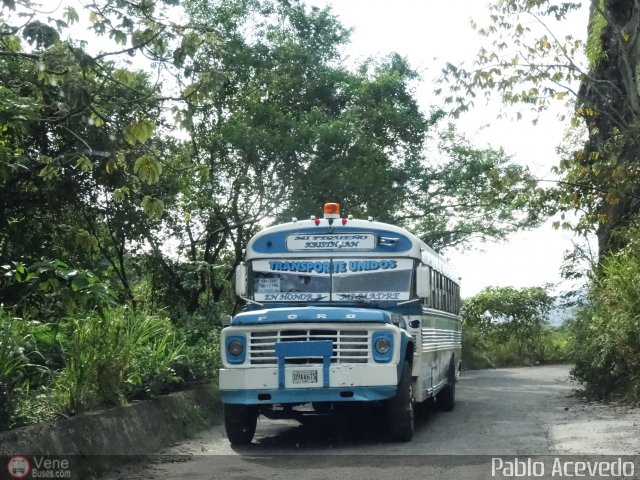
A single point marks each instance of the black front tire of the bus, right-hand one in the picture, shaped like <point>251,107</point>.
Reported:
<point>400,409</point>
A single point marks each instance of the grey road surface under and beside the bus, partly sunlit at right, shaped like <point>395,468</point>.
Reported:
<point>504,412</point>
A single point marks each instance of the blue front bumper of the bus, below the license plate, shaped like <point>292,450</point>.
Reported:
<point>306,395</point>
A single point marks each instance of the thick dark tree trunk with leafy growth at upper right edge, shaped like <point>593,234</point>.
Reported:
<point>611,90</point>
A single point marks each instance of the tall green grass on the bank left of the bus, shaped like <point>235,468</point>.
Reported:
<point>99,360</point>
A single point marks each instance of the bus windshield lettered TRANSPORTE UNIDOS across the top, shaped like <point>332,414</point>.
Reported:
<point>331,279</point>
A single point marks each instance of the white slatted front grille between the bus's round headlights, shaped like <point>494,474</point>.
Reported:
<point>349,346</point>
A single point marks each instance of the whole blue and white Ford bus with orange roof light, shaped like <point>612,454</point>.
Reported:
<point>339,310</point>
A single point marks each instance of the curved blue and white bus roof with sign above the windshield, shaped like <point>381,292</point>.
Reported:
<point>345,237</point>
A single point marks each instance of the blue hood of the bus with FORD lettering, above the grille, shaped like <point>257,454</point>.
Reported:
<point>312,314</point>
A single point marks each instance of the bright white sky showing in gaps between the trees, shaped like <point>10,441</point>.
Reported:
<point>430,33</point>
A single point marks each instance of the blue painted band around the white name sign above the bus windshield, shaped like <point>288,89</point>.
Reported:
<point>272,243</point>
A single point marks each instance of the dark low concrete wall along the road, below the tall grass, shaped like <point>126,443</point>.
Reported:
<point>99,441</point>
